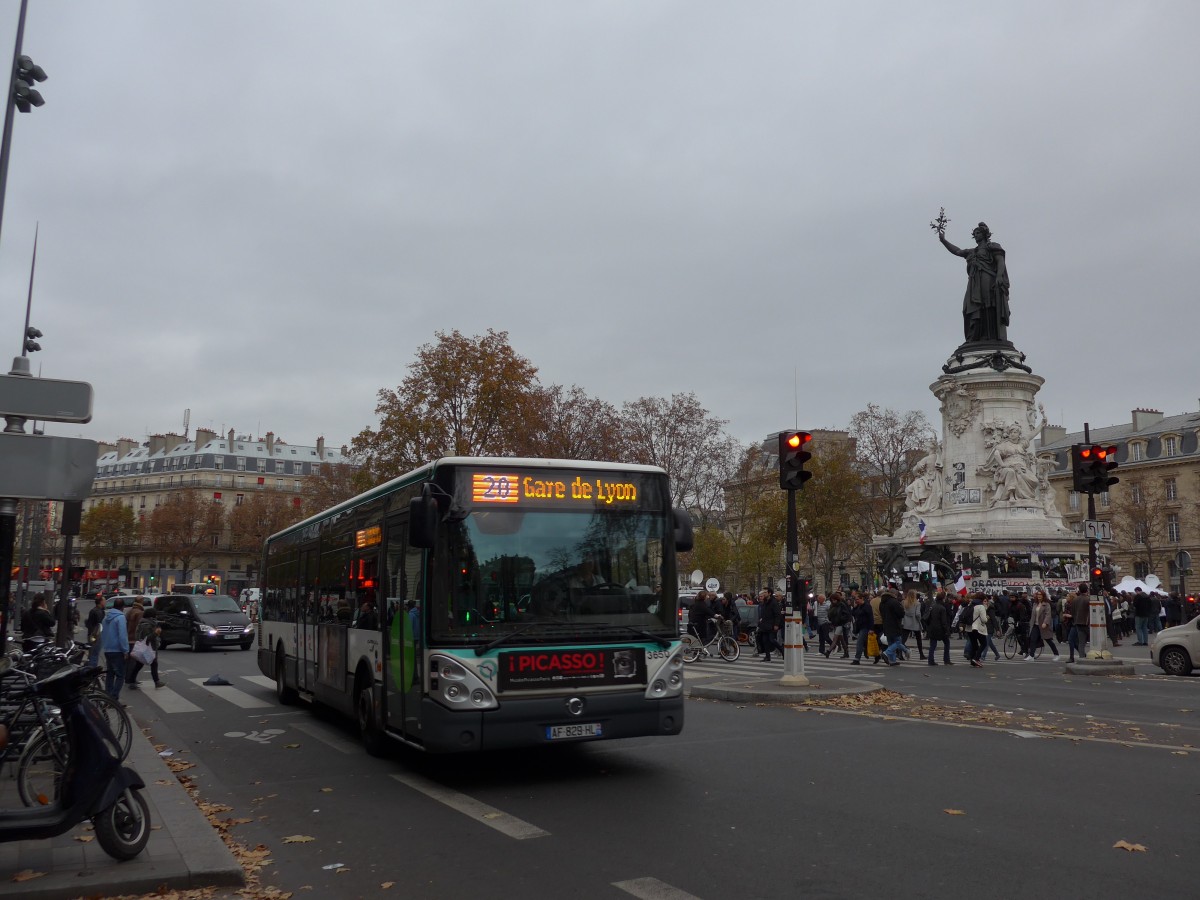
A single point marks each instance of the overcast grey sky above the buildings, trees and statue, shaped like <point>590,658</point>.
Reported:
<point>259,211</point>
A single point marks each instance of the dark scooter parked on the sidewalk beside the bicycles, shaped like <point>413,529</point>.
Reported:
<point>95,784</point>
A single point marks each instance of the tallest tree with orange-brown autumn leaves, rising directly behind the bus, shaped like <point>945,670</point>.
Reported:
<point>464,397</point>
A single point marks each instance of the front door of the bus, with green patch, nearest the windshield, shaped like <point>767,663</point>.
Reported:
<point>405,631</point>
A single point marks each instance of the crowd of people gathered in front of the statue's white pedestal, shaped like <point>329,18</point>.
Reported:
<point>901,623</point>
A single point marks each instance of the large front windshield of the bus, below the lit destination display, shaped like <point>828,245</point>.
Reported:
<point>592,574</point>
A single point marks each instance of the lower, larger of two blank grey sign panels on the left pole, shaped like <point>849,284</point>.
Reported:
<point>40,467</point>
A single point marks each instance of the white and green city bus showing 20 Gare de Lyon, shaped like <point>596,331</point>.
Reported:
<point>478,604</point>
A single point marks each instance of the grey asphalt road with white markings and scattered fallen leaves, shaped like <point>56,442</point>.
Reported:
<point>749,802</point>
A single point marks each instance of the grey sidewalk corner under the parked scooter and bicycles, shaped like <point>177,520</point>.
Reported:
<point>185,850</point>
